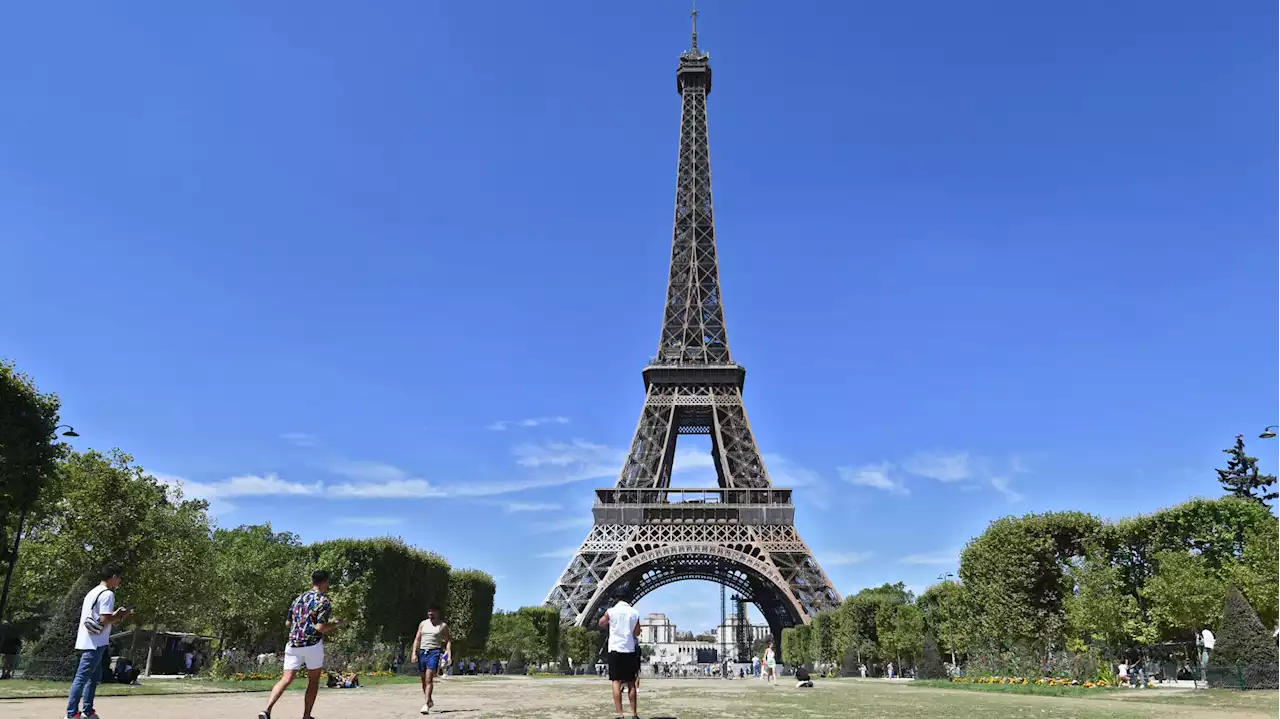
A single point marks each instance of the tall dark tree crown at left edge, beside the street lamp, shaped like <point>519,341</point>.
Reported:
<point>29,452</point>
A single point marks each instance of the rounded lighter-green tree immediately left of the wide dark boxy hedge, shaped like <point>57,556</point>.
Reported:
<point>258,574</point>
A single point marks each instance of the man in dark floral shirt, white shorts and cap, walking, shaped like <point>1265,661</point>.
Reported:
<point>310,620</point>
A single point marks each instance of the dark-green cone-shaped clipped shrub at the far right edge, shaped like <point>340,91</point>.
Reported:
<point>1245,647</point>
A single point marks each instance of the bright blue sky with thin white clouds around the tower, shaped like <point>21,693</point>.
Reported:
<point>396,269</point>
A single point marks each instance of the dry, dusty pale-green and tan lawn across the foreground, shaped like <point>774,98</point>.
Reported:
<point>520,698</point>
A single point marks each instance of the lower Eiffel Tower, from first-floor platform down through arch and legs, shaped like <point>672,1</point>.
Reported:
<point>644,539</point>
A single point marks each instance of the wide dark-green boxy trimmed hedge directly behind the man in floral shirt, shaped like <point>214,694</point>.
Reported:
<point>382,587</point>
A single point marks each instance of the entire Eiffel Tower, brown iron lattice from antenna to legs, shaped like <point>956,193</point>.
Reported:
<point>648,534</point>
